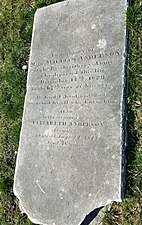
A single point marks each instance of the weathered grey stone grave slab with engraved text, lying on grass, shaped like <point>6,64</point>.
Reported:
<point>71,152</point>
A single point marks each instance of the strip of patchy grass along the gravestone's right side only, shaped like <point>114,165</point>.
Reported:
<point>129,212</point>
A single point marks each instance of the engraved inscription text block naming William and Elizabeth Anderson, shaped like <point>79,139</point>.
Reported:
<point>77,76</point>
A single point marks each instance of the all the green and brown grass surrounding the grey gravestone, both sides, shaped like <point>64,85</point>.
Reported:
<point>16,20</point>
